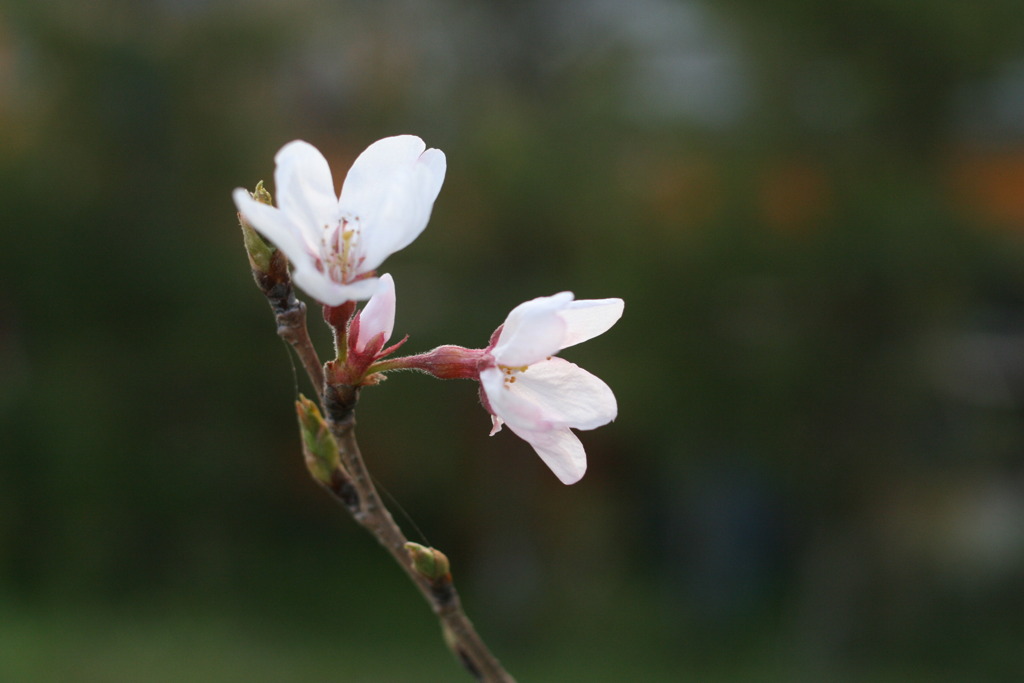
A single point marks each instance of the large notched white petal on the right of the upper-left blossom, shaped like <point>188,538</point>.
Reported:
<point>392,189</point>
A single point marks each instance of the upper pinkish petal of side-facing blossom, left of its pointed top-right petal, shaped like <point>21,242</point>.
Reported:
<point>533,331</point>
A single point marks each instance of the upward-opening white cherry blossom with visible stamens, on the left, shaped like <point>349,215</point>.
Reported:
<point>336,244</point>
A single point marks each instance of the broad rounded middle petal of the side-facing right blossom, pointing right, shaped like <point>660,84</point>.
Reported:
<point>565,395</point>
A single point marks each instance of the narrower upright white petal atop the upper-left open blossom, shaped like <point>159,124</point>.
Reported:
<point>306,189</point>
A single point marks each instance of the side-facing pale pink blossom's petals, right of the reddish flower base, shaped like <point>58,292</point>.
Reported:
<point>540,397</point>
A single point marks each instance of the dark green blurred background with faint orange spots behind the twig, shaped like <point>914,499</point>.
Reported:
<point>815,212</point>
